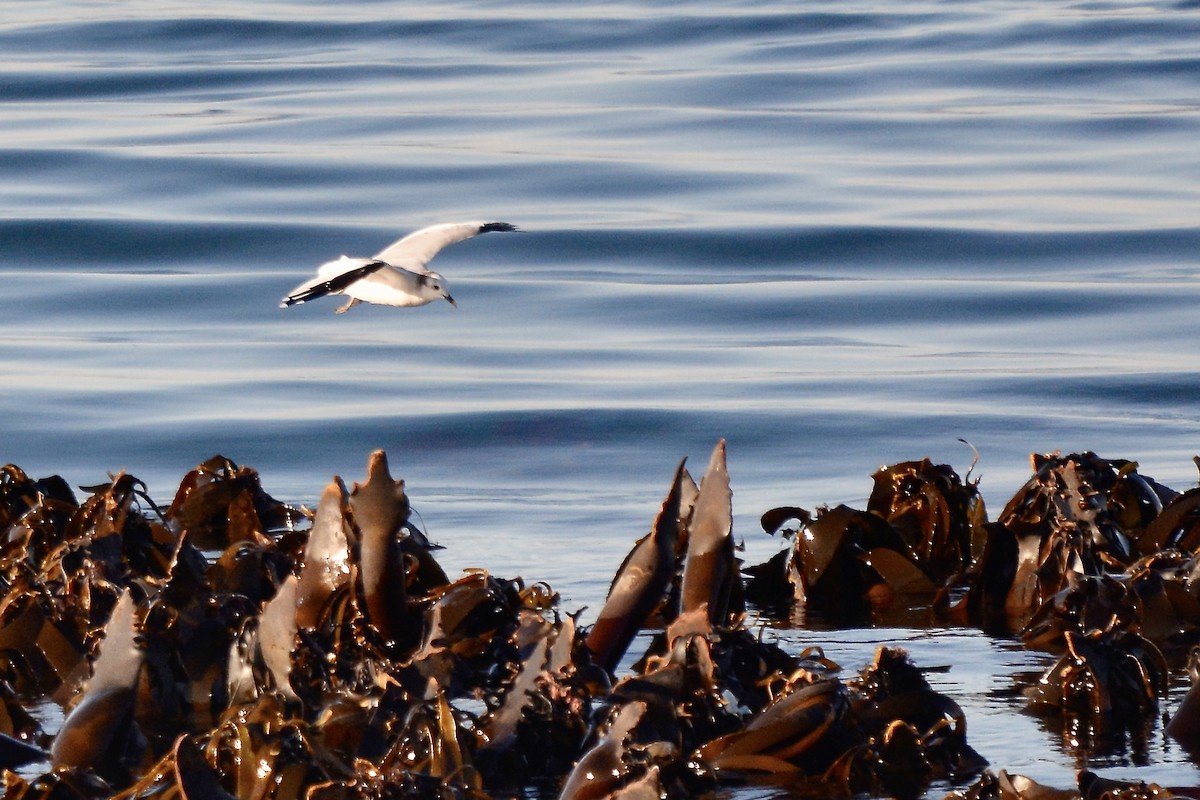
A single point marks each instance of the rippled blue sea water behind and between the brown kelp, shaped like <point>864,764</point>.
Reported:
<point>838,236</point>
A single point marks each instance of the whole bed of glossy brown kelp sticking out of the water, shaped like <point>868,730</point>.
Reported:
<point>230,646</point>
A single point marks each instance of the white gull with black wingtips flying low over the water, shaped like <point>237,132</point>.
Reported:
<point>398,276</point>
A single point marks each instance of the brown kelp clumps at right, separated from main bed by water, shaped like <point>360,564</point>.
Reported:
<point>1090,561</point>
